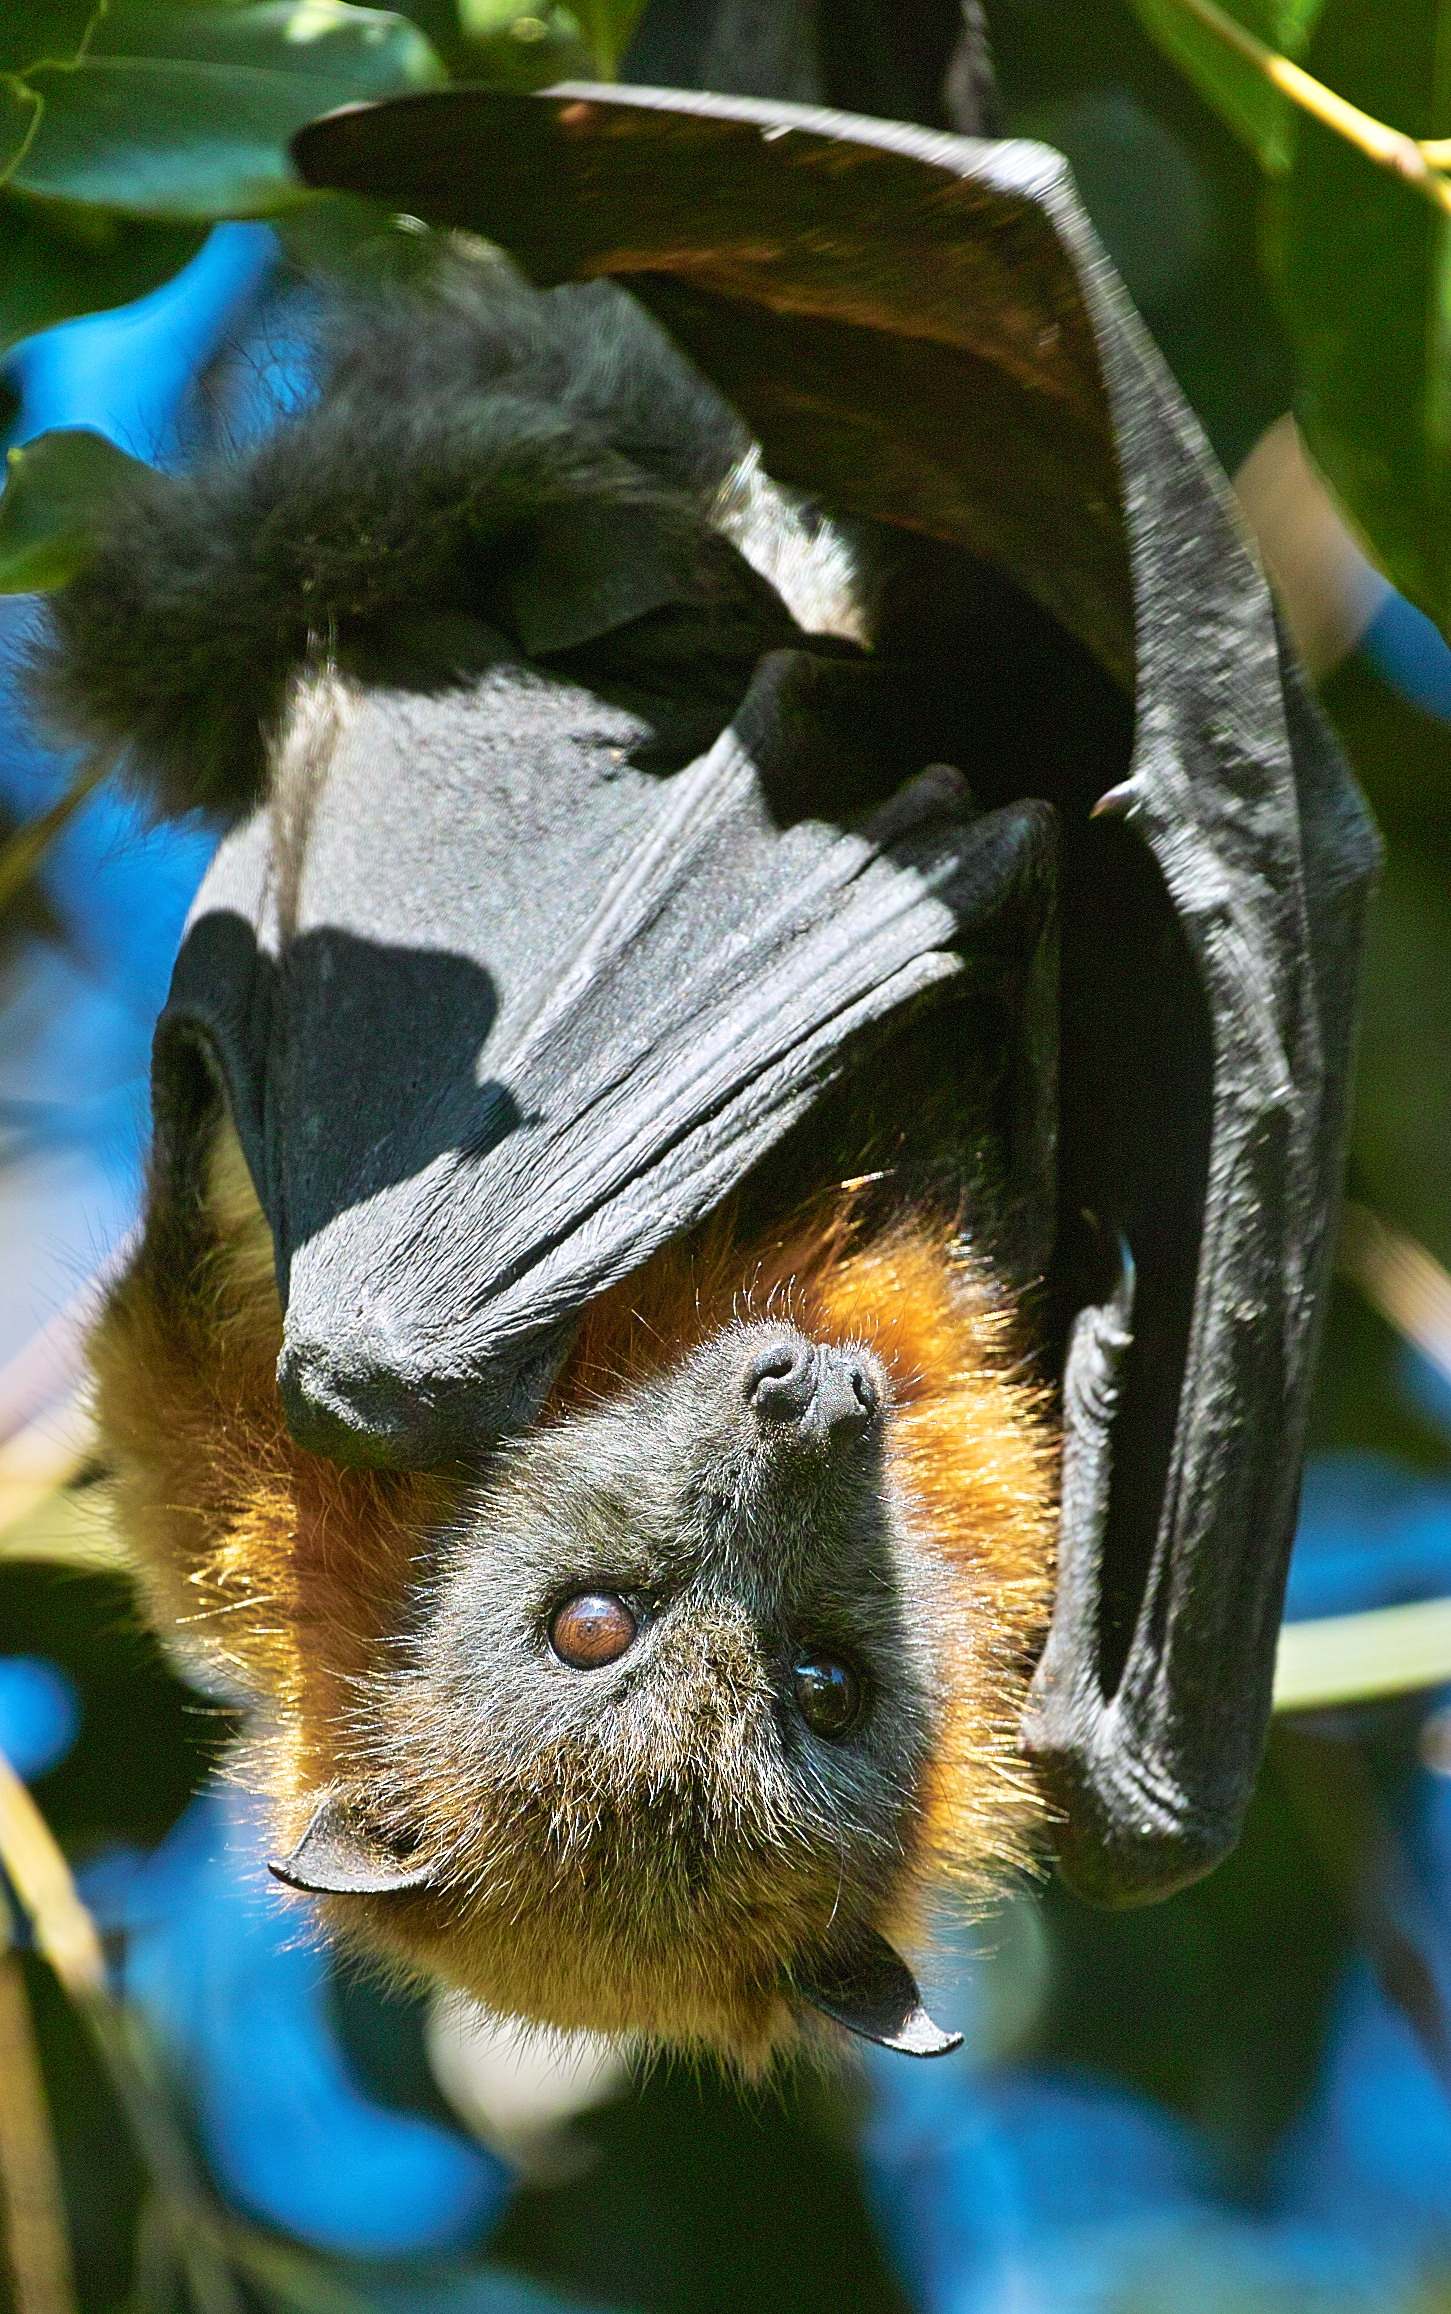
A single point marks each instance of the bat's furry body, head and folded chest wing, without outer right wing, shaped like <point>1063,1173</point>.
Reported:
<point>651,1688</point>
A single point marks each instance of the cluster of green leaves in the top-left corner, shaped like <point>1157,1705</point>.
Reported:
<point>131,126</point>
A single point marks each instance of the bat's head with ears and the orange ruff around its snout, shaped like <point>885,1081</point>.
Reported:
<point>695,1700</point>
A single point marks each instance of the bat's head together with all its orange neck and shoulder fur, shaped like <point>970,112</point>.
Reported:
<point>665,1723</point>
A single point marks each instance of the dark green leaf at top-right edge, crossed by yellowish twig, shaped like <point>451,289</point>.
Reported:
<point>1369,295</point>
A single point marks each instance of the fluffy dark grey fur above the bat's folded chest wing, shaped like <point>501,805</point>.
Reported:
<point>457,429</point>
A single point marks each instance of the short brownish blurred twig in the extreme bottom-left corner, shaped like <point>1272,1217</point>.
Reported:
<point>31,2199</point>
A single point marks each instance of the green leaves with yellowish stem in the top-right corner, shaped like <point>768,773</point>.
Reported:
<point>1357,242</point>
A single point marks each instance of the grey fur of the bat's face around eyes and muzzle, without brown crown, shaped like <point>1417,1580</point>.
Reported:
<point>744,1540</point>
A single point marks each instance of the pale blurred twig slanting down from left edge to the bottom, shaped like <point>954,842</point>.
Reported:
<point>66,1936</point>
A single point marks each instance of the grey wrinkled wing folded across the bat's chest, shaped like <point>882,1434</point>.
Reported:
<point>492,1049</point>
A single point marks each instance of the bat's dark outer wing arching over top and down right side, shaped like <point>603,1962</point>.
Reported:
<point>927,332</point>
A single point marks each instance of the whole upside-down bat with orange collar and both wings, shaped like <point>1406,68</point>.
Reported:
<point>607,1107</point>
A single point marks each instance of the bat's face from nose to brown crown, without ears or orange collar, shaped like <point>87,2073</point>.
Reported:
<point>665,1723</point>
